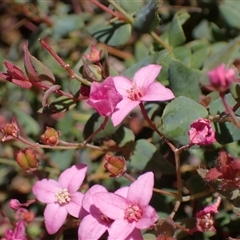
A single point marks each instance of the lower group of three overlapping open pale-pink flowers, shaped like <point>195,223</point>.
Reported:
<point>122,214</point>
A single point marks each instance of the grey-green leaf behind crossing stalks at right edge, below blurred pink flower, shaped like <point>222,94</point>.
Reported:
<point>225,132</point>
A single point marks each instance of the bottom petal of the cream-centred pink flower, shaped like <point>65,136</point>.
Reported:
<point>54,216</point>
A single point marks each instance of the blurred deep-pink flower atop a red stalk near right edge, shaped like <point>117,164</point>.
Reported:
<point>221,78</point>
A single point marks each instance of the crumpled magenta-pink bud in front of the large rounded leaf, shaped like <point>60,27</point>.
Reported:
<point>201,132</point>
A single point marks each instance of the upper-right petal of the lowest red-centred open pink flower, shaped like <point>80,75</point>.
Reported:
<point>143,183</point>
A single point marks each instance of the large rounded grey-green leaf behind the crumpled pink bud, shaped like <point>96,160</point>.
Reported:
<point>178,116</point>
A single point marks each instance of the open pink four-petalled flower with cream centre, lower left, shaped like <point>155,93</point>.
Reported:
<point>61,196</point>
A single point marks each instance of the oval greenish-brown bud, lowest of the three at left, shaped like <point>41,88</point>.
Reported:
<point>27,160</point>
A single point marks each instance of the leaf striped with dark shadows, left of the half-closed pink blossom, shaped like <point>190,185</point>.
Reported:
<point>60,104</point>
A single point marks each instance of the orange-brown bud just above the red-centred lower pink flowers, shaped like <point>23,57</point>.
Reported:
<point>115,165</point>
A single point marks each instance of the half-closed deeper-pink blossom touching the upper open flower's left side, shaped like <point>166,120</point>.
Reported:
<point>104,97</point>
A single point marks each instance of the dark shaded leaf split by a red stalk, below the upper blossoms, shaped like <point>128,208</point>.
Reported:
<point>94,122</point>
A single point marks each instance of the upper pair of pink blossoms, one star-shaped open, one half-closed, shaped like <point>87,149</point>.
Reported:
<point>118,96</point>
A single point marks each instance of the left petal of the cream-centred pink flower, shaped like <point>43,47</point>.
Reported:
<point>45,190</point>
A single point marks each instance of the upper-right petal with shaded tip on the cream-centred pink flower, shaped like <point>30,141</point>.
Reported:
<point>73,177</point>
